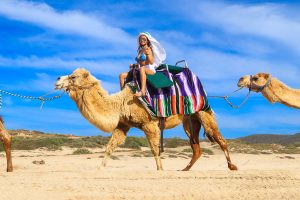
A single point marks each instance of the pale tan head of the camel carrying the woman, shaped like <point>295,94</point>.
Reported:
<point>78,80</point>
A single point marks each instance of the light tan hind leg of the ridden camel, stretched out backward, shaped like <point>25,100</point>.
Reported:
<point>210,127</point>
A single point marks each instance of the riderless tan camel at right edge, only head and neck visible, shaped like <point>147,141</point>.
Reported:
<point>272,89</point>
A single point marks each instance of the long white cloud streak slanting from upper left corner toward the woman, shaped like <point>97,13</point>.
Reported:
<point>69,22</point>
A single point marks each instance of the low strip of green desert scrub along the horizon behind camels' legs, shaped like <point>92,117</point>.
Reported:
<point>30,140</point>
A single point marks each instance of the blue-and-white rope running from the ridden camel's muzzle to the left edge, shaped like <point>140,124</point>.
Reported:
<point>40,98</point>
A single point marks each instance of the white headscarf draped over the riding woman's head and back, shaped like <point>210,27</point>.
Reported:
<point>159,52</point>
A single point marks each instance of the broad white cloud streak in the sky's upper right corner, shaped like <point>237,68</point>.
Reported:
<point>270,21</point>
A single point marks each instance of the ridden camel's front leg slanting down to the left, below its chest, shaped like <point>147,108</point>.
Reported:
<point>118,137</point>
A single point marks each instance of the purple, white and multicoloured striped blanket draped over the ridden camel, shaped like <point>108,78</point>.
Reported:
<point>186,96</point>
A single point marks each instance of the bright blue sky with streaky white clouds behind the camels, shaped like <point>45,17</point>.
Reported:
<point>221,41</point>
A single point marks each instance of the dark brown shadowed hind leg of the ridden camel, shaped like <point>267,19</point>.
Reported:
<point>194,138</point>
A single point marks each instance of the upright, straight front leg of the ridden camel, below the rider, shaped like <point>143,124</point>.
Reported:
<point>152,132</point>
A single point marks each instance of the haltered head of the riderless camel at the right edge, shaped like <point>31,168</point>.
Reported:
<point>255,83</point>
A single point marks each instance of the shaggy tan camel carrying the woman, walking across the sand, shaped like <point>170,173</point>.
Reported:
<point>117,113</point>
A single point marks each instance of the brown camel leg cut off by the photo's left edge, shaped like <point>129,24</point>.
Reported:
<point>5,138</point>
